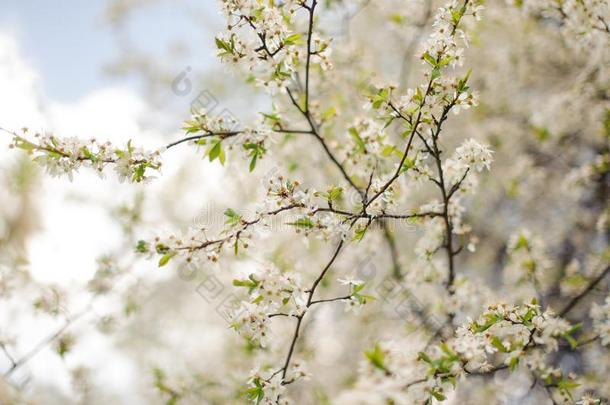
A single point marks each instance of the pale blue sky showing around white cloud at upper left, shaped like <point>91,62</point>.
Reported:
<point>67,42</point>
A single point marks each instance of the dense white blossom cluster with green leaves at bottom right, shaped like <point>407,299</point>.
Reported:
<point>517,334</point>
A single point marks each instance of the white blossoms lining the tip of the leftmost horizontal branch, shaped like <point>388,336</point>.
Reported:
<point>64,156</point>
